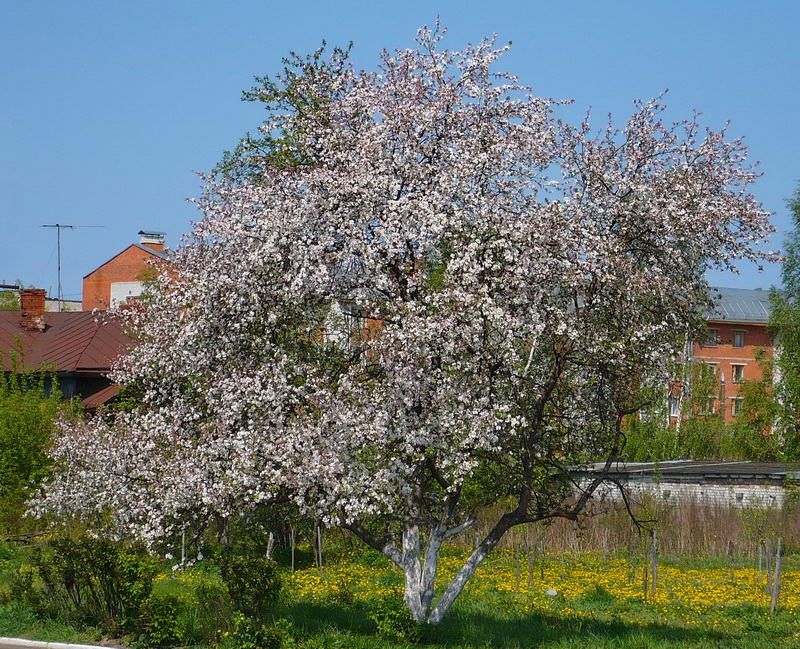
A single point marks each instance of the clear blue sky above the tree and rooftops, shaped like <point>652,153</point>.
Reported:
<point>108,108</point>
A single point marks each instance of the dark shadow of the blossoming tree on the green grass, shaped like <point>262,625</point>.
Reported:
<point>466,628</point>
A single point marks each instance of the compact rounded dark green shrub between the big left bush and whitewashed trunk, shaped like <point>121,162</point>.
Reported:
<point>253,583</point>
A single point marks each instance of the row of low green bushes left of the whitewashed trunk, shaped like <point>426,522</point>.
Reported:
<point>232,601</point>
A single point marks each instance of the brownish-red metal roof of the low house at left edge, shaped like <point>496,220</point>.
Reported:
<point>71,342</point>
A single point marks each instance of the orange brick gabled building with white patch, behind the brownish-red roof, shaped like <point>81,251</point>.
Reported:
<point>122,276</point>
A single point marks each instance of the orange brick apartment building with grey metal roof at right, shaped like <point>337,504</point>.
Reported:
<point>737,330</point>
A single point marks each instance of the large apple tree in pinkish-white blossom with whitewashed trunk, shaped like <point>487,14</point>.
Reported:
<point>523,276</point>
